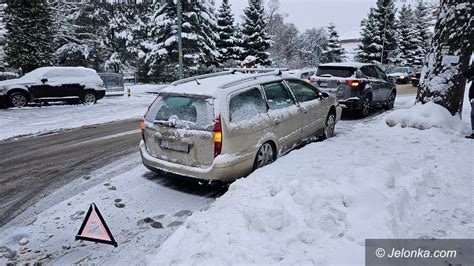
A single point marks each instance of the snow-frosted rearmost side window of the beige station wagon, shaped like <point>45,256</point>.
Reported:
<point>246,105</point>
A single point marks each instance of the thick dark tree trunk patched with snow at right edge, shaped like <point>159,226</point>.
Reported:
<point>442,79</point>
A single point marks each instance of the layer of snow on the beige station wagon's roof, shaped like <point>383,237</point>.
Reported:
<point>212,86</point>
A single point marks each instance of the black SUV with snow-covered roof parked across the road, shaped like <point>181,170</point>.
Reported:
<point>73,84</point>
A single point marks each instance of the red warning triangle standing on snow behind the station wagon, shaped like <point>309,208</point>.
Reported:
<point>94,228</point>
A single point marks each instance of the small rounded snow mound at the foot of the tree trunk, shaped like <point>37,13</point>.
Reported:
<point>425,116</point>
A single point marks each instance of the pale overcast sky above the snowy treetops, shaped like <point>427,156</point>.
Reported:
<point>346,14</point>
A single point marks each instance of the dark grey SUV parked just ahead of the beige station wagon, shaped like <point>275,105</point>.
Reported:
<point>358,86</point>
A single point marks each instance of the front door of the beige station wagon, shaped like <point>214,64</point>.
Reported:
<point>310,104</point>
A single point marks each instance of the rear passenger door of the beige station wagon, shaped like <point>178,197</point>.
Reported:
<point>285,115</point>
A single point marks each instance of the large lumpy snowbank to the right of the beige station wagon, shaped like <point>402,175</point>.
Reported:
<point>317,205</point>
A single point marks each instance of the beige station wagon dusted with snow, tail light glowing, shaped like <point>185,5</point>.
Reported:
<point>225,125</point>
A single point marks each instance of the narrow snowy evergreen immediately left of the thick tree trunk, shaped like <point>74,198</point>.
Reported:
<point>422,35</point>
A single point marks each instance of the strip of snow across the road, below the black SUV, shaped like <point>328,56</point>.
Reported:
<point>36,120</point>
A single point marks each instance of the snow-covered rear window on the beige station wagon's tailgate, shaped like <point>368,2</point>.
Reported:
<point>185,112</point>
